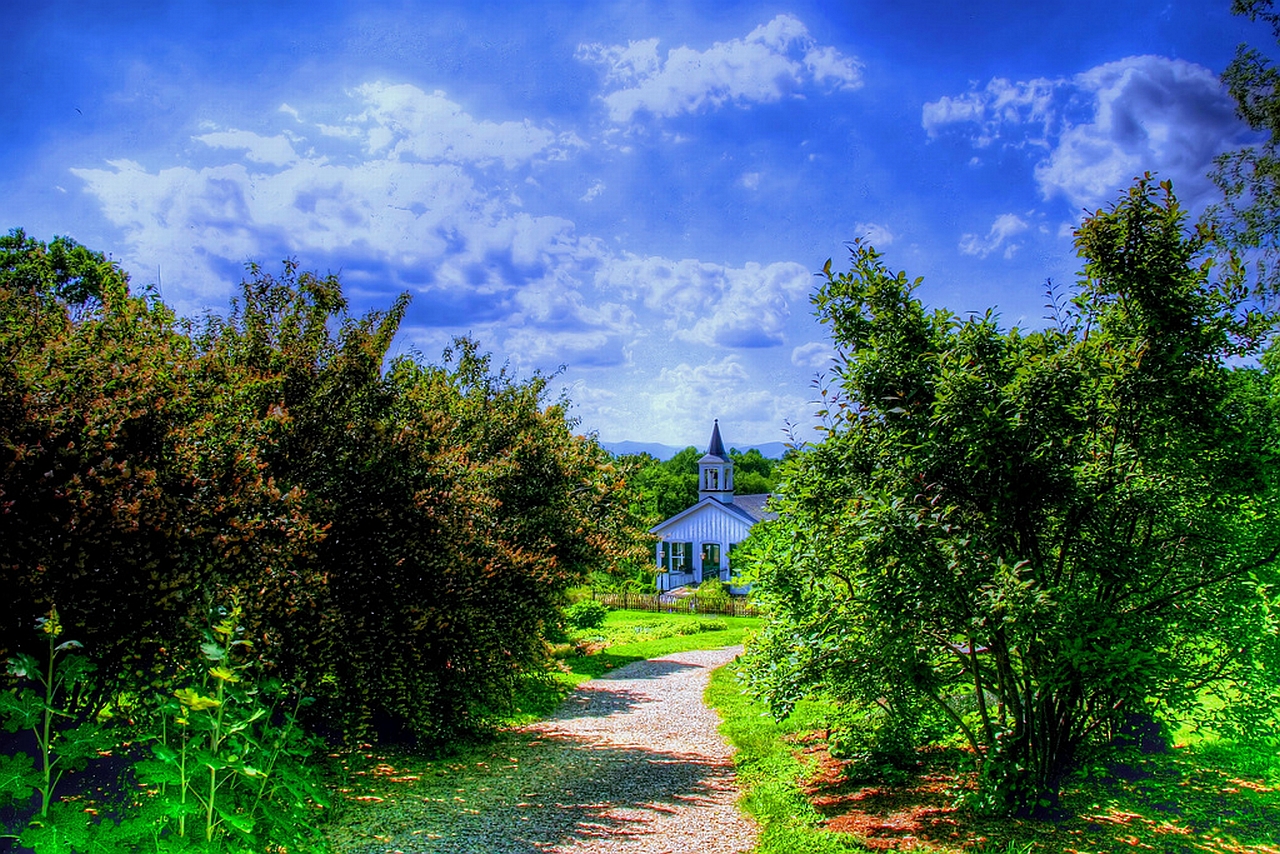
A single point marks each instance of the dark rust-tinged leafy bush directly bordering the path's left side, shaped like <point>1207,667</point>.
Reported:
<point>456,508</point>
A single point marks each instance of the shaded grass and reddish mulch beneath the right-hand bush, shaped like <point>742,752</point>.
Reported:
<point>1173,805</point>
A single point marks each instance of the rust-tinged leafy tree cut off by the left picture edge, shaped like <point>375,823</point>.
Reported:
<point>120,504</point>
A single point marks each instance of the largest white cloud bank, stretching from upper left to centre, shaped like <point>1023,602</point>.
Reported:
<point>415,208</point>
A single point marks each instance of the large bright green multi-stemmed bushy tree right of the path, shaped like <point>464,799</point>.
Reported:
<point>1035,537</point>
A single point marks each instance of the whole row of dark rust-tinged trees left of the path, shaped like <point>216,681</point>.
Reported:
<point>395,535</point>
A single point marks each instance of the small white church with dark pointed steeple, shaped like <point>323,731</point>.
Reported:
<point>696,544</point>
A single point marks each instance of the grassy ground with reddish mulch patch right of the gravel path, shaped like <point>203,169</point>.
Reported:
<point>1213,797</point>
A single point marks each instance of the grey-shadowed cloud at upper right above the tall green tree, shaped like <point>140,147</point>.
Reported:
<point>1101,129</point>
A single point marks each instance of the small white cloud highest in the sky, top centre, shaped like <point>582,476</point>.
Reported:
<point>775,61</point>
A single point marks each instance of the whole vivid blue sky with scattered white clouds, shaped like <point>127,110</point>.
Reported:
<point>632,197</point>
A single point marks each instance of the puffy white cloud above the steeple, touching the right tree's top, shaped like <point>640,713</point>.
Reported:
<point>712,304</point>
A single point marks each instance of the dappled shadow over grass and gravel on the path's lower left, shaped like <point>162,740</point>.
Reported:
<point>518,796</point>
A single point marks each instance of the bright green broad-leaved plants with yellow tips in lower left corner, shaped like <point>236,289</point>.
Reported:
<point>228,766</point>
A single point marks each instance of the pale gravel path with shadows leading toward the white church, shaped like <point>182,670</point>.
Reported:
<point>630,764</point>
